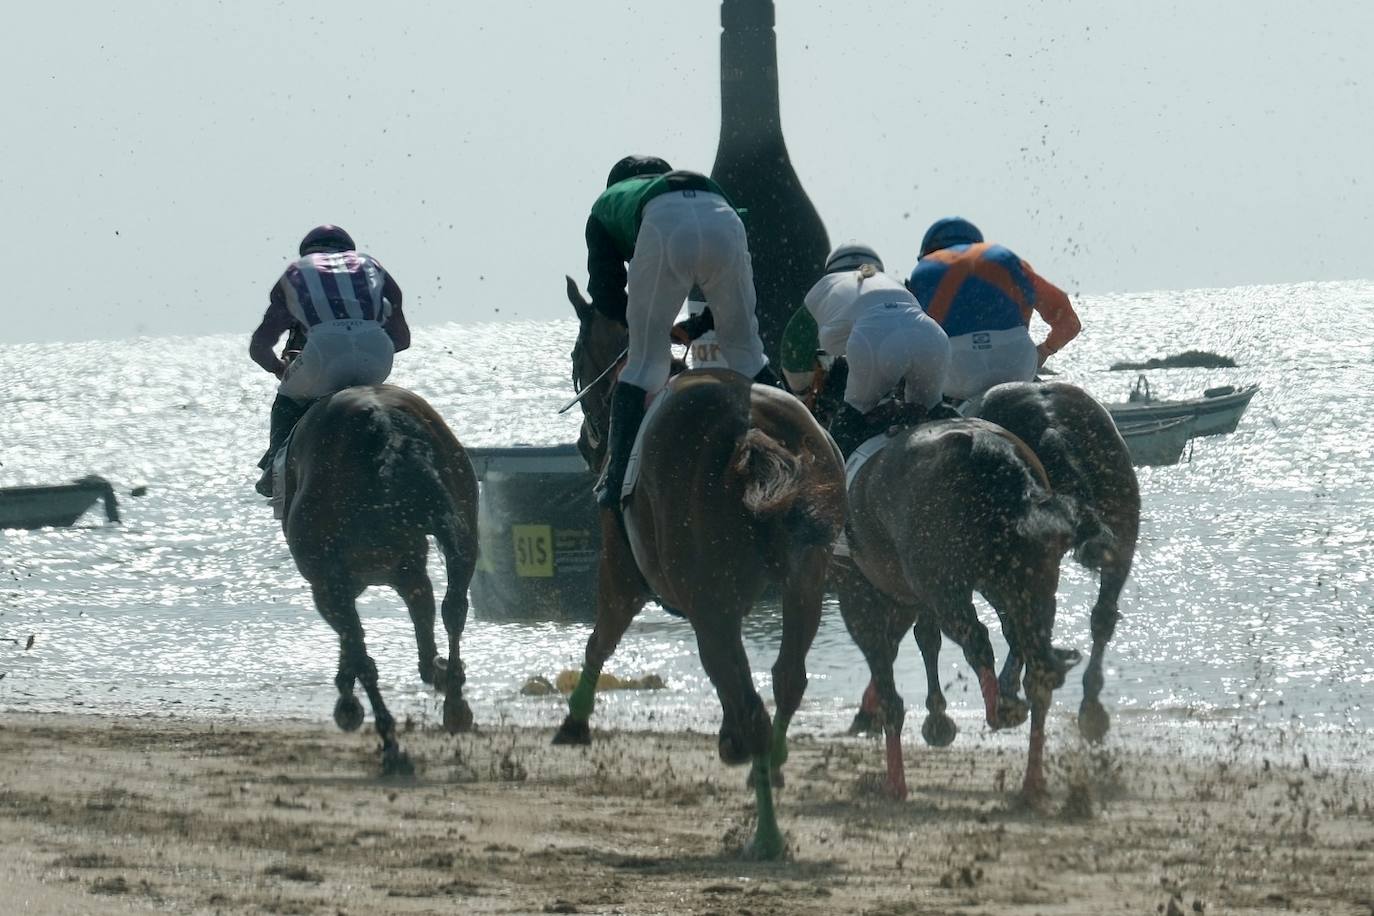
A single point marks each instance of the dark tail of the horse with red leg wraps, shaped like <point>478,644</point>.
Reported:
<point>1015,485</point>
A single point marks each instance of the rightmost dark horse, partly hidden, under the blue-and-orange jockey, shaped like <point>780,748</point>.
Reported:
<point>1089,463</point>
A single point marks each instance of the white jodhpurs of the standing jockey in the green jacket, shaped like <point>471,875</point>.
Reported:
<point>690,238</point>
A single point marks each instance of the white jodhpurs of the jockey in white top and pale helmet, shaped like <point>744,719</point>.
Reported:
<point>895,343</point>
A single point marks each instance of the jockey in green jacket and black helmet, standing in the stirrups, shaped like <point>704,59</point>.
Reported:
<point>675,230</point>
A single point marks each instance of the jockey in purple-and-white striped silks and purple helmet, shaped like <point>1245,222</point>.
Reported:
<point>350,312</point>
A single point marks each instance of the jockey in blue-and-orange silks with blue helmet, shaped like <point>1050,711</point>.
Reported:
<point>983,296</point>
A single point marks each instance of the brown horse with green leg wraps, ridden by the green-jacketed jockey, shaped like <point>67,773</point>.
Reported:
<point>739,487</point>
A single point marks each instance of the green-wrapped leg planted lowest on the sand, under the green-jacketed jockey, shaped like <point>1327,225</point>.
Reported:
<point>745,733</point>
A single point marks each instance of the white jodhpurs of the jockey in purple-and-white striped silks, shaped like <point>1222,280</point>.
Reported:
<point>339,355</point>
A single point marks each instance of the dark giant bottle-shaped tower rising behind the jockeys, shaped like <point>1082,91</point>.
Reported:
<point>787,237</point>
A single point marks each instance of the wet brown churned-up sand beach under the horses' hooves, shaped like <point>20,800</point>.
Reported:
<point>194,816</point>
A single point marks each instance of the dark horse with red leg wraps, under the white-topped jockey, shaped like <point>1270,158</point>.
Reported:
<point>946,510</point>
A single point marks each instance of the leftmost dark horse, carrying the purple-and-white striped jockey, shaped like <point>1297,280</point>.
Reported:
<point>370,474</point>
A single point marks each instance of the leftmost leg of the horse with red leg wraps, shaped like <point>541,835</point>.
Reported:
<point>876,624</point>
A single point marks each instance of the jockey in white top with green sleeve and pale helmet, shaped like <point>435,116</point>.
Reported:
<point>864,315</point>
